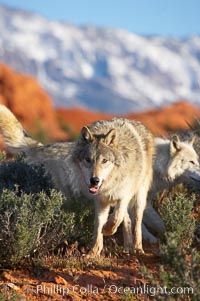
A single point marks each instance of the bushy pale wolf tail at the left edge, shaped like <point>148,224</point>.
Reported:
<point>14,135</point>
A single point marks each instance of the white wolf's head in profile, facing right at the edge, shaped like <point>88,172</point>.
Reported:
<point>183,160</point>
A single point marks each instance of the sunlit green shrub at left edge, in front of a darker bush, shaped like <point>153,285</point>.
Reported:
<point>30,224</point>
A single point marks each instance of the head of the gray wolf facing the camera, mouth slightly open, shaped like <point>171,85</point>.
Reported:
<point>96,157</point>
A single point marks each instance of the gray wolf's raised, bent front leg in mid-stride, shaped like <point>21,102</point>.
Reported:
<point>116,218</point>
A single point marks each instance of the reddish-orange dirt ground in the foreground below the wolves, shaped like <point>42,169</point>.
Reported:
<point>100,279</point>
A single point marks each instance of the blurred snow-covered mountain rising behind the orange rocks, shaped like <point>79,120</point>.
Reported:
<point>104,69</point>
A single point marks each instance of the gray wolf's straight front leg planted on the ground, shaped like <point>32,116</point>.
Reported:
<point>101,216</point>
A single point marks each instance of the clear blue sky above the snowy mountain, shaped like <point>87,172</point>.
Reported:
<point>165,17</point>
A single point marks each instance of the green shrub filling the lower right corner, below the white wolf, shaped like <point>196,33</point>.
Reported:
<point>179,256</point>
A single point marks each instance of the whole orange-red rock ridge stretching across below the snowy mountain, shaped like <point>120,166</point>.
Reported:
<point>33,107</point>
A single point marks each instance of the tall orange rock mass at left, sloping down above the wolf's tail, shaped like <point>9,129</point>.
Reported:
<point>27,100</point>
